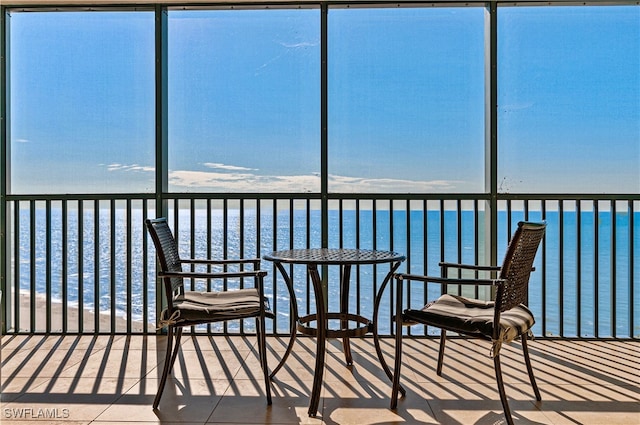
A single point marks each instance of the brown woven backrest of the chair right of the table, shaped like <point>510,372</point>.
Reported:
<point>518,263</point>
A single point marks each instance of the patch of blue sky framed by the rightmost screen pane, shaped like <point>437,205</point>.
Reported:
<point>579,111</point>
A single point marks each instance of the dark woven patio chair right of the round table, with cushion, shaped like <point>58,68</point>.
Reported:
<point>477,318</point>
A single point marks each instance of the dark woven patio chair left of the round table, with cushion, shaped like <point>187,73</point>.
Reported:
<point>189,308</point>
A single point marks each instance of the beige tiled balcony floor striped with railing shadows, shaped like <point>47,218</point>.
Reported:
<point>112,380</point>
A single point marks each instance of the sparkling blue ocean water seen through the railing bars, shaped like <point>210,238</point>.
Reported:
<point>102,265</point>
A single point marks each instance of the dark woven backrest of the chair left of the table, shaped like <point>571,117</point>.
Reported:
<point>167,252</point>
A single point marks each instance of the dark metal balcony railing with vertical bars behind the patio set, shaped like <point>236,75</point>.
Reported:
<point>72,256</point>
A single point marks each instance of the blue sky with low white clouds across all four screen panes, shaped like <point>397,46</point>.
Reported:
<point>406,100</point>
